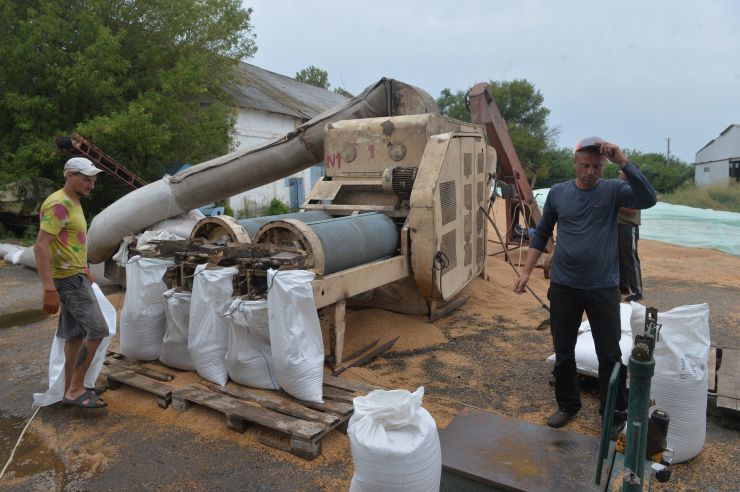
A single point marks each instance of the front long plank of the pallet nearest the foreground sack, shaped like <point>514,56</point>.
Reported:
<point>231,407</point>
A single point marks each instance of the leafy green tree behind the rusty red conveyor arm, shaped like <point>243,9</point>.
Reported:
<point>522,107</point>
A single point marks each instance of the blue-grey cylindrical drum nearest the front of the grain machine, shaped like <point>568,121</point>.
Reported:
<point>336,244</point>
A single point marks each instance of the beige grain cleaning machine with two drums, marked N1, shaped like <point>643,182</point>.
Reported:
<point>400,207</point>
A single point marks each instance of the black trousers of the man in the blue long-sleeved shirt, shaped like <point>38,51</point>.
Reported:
<point>602,308</point>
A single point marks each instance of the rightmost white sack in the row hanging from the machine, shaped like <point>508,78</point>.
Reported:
<point>295,334</point>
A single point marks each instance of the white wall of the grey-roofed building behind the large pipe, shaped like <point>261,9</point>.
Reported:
<point>253,128</point>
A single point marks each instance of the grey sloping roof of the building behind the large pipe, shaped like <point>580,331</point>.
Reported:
<point>256,88</point>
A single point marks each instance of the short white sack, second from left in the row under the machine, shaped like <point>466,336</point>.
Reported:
<point>175,351</point>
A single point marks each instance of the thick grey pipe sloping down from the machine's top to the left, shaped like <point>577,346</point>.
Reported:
<point>245,169</point>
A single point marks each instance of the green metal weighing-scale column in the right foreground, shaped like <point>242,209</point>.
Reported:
<point>644,439</point>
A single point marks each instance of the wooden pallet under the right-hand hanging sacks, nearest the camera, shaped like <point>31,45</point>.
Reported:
<point>304,423</point>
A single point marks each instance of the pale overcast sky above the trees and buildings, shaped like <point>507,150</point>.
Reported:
<point>633,72</point>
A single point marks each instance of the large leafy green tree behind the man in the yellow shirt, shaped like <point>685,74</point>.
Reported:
<point>143,80</point>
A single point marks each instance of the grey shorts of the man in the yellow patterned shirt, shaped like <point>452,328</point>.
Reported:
<point>80,315</point>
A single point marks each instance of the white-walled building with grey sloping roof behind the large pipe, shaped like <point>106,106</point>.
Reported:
<point>269,106</point>
